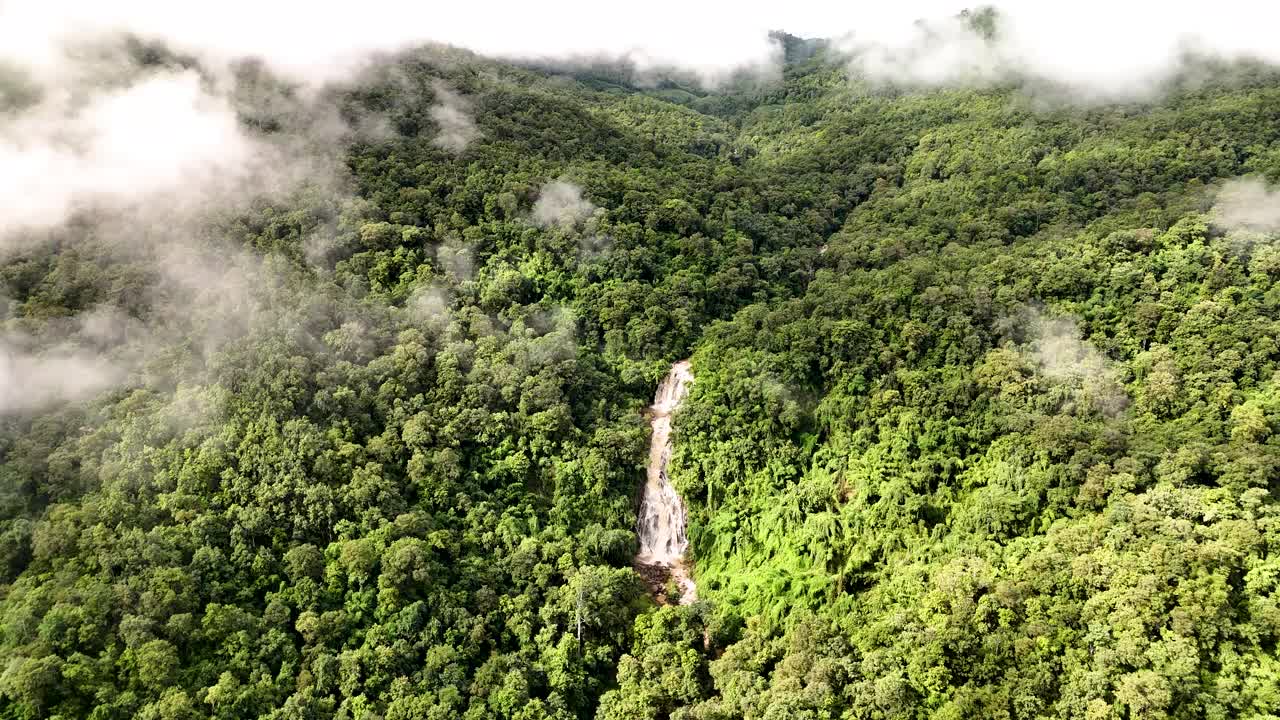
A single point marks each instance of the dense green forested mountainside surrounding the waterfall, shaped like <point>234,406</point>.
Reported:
<point>985,421</point>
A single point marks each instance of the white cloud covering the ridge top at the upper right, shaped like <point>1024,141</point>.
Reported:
<point>1092,51</point>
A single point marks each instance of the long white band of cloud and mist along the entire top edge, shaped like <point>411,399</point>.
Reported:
<point>1092,47</point>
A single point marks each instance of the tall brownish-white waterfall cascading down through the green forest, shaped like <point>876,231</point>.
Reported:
<point>662,513</point>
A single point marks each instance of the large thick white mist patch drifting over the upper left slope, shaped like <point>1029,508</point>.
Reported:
<point>138,162</point>
